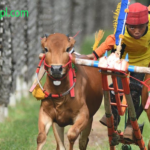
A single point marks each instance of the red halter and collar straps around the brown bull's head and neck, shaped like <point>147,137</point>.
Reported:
<point>72,78</point>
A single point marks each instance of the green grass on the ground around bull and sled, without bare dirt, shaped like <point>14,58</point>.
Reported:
<point>19,131</point>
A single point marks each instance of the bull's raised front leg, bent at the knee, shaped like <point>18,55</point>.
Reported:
<point>75,130</point>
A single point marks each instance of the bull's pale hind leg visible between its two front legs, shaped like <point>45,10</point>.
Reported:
<point>59,136</point>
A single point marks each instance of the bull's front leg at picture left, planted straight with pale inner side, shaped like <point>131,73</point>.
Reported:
<point>44,125</point>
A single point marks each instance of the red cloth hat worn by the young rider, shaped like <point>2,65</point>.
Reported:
<point>138,14</point>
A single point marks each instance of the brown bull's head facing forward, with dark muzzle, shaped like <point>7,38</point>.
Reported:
<point>57,47</point>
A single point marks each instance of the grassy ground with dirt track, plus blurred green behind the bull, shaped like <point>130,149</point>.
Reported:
<point>19,131</point>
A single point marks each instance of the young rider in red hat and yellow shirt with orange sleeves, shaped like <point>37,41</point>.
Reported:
<point>136,43</point>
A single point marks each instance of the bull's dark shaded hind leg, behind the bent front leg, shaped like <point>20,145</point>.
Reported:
<point>83,141</point>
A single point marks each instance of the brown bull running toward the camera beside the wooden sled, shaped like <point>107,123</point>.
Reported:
<point>65,110</point>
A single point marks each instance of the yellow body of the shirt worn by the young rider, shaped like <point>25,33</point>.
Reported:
<point>137,49</point>
